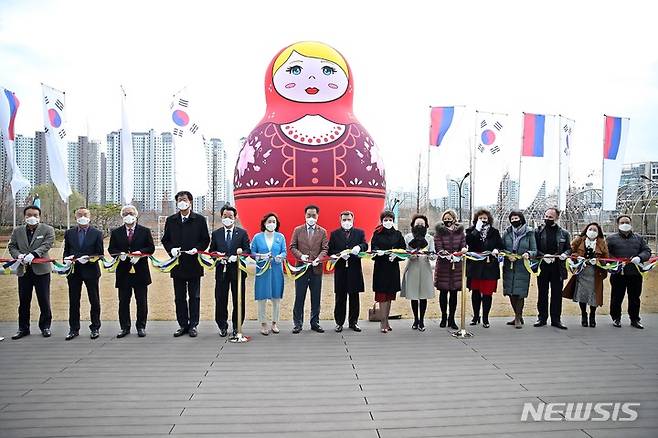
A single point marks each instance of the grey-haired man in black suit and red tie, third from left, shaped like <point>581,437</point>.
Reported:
<point>133,272</point>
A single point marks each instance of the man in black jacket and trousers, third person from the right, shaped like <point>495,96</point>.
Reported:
<point>552,240</point>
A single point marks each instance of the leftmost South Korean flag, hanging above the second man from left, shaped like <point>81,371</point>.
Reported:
<point>54,119</point>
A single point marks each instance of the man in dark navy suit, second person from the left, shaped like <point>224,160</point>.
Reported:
<point>80,244</point>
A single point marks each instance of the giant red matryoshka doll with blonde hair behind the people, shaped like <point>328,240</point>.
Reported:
<point>309,148</point>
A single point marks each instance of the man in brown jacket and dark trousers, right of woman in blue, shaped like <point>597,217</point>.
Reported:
<point>309,244</point>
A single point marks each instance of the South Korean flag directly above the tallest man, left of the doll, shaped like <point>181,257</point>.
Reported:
<point>190,160</point>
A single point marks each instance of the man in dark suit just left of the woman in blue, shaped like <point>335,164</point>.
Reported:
<point>228,240</point>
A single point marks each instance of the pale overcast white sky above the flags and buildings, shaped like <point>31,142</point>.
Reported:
<point>579,59</point>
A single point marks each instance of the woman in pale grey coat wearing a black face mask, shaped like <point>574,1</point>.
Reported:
<point>418,278</point>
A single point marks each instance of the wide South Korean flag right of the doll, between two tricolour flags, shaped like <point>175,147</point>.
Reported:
<point>491,158</point>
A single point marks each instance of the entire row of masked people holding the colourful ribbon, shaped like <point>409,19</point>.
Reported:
<point>186,234</point>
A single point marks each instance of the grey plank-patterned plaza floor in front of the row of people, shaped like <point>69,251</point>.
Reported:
<point>369,384</point>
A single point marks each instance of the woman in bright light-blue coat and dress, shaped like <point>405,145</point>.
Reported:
<point>269,284</point>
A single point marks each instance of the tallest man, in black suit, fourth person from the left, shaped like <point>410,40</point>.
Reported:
<point>185,234</point>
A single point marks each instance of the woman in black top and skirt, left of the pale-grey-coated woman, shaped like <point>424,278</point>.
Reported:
<point>386,273</point>
